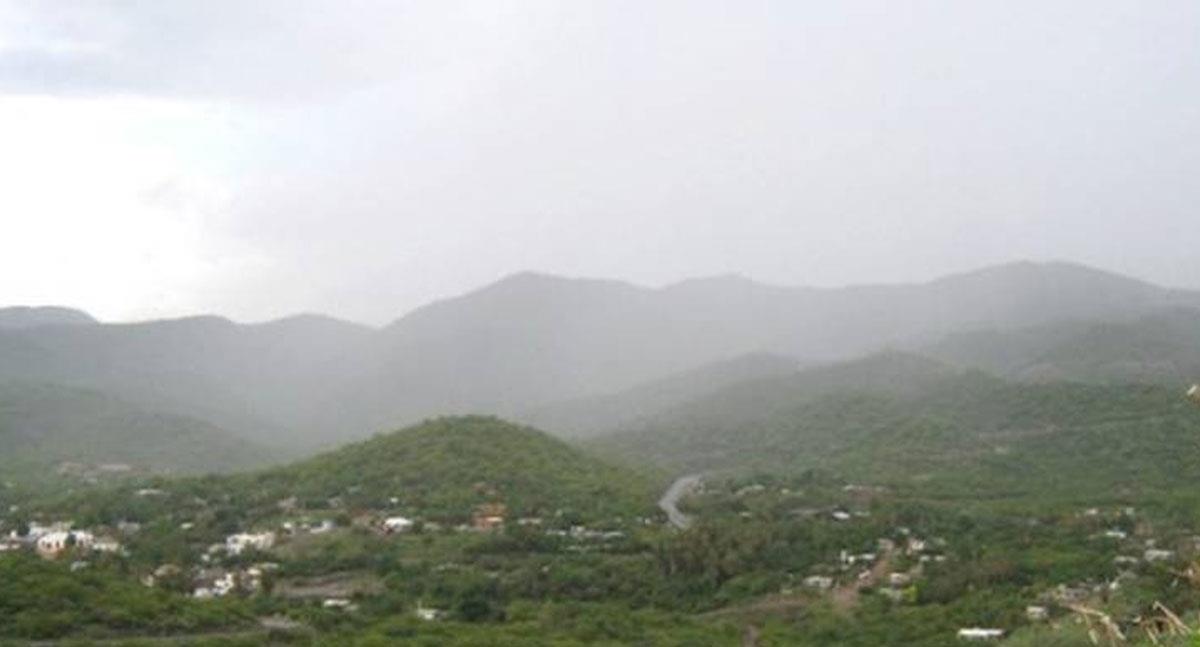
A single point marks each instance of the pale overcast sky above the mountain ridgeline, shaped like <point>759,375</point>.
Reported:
<point>363,158</point>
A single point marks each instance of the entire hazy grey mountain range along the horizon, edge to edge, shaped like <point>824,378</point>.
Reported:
<point>531,343</point>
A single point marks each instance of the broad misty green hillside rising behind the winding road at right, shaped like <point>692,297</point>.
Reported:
<point>963,432</point>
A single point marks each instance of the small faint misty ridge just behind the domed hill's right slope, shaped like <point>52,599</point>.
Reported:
<point>591,416</point>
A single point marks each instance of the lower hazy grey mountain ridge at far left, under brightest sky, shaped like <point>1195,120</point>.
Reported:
<point>261,381</point>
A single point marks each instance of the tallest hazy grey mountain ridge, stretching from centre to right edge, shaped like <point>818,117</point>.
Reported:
<point>533,340</point>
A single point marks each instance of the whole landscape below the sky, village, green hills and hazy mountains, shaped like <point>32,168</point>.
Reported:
<point>1031,480</point>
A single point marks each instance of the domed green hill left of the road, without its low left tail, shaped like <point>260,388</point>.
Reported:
<point>449,465</point>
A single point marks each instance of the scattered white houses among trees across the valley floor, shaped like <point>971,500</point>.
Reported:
<point>254,561</point>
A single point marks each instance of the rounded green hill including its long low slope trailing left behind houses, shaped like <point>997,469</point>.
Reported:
<point>441,470</point>
